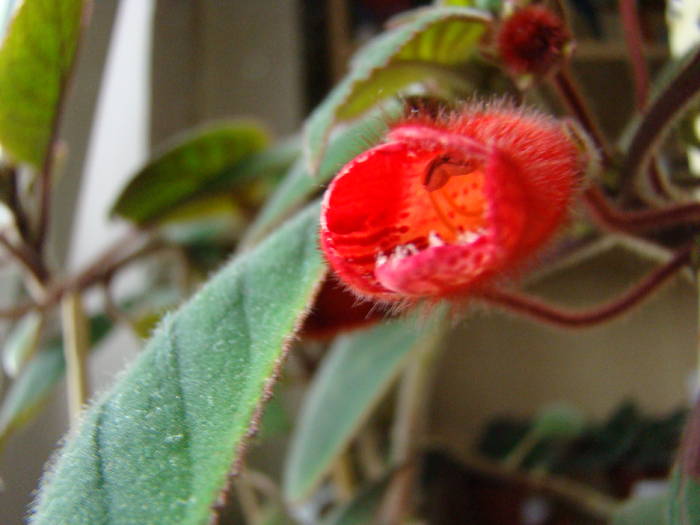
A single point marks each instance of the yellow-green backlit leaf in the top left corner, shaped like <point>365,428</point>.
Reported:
<point>36,59</point>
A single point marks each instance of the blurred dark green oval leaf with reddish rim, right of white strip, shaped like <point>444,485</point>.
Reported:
<point>187,168</point>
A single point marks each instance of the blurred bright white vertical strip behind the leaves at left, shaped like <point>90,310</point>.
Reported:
<point>119,139</point>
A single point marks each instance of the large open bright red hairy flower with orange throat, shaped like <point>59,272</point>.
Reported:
<point>446,205</point>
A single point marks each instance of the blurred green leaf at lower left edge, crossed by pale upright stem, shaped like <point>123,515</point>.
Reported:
<point>29,391</point>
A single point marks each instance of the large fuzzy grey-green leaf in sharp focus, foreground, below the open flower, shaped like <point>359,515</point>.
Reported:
<point>159,446</point>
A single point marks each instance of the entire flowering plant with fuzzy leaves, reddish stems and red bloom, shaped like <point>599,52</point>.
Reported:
<point>444,186</point>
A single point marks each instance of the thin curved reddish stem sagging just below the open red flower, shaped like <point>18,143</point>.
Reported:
<point>541,311</point>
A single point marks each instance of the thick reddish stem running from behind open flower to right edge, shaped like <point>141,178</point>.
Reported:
<point>638,221</point>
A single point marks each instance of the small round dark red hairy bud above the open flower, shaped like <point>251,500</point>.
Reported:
<point>532,40</point>
